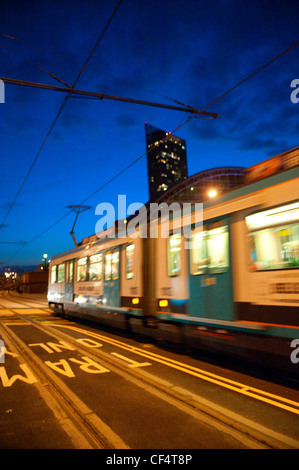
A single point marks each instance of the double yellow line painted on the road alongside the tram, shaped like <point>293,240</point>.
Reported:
<point>238,387</point>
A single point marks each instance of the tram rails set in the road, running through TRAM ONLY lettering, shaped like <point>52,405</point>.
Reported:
<point>85,427</point>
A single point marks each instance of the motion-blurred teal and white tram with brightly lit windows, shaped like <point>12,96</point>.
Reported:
<point>234,291</point>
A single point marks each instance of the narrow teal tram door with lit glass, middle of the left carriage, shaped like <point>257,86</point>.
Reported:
<point>112,278</point>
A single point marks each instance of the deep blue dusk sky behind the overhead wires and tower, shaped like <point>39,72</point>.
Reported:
<point>192,51</point>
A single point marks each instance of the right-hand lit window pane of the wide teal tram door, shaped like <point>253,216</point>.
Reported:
<point>218,251</point>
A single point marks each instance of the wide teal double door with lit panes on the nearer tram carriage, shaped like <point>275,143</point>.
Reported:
<point>211,294</point>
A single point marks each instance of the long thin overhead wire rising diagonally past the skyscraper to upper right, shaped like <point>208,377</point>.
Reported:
<point>175,130</point>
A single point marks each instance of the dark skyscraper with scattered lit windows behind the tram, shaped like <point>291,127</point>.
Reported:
<point>166,160</point>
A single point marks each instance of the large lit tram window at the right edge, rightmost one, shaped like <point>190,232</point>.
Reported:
<point>274,238</point>
